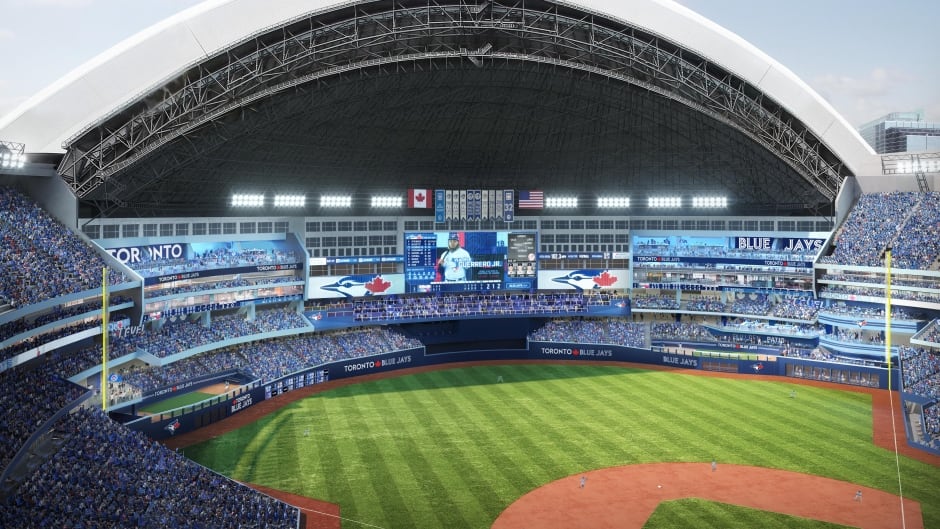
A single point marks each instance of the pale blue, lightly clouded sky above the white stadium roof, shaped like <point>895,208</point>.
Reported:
<point>866,57</point>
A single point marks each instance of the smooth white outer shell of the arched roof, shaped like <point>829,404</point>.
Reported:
<point>148,59</point>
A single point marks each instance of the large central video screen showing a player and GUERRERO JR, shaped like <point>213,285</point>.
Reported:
<point>470,261</point>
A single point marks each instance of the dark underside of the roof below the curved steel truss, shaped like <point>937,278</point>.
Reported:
<point>510,124</point>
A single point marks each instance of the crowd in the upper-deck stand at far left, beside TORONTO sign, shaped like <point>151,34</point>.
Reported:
<point>40,258</point>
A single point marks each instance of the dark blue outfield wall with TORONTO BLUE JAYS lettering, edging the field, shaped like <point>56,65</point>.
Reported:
<point>202,414</point>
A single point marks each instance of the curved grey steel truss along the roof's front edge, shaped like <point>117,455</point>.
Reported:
<point>361,37</point>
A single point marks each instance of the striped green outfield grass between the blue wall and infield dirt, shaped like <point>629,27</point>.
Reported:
<point>453,448</point>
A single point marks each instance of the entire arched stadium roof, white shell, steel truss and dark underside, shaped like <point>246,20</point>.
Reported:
<point>634,97</point>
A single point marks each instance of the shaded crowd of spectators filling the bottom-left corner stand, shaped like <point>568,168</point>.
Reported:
<point>105,475</point>
